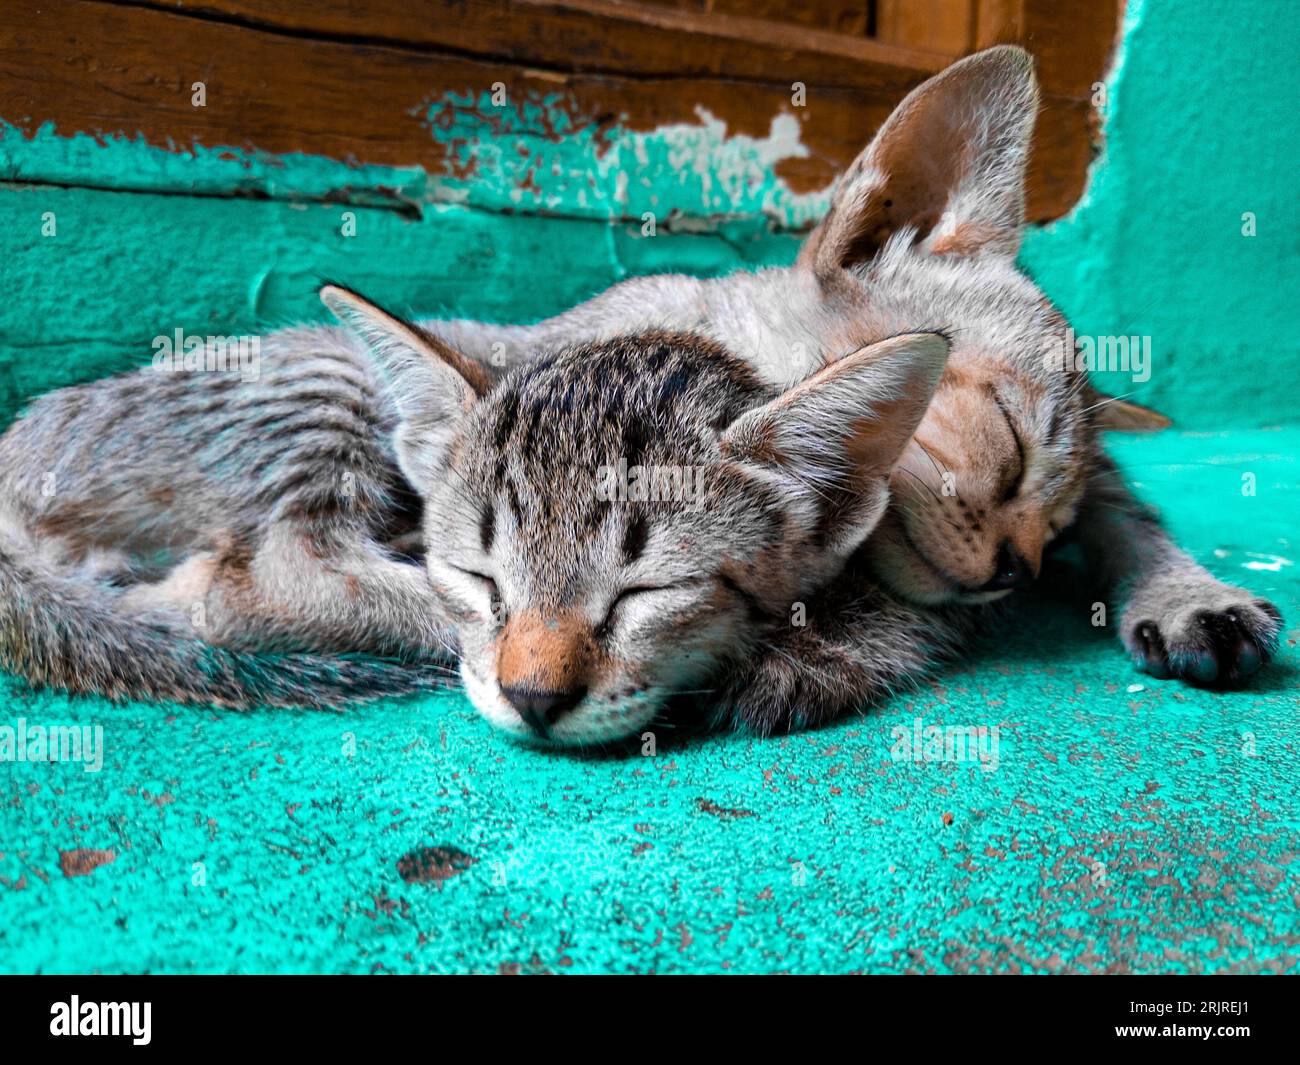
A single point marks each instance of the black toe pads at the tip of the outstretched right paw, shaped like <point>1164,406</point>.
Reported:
<point>1214,647</point>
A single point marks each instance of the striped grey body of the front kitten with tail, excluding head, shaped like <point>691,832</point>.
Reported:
<point>196,536</point>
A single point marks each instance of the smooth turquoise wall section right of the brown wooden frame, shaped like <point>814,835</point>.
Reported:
<point>1202,128</point>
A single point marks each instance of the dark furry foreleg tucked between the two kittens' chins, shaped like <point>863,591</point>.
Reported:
<point>853,650</point>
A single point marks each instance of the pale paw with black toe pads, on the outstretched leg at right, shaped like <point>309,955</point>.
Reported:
<point>1203,633</point>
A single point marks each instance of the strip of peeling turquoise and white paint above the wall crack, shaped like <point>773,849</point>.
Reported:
<point>532,157</point>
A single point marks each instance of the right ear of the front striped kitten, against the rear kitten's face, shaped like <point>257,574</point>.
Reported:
<point>833,440</point>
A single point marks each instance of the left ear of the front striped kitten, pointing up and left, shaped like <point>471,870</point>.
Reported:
<point>432,386</point>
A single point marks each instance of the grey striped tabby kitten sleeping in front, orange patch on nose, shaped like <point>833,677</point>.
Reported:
<point>601,531</point>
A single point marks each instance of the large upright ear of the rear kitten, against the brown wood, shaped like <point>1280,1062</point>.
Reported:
<point>950,162</point>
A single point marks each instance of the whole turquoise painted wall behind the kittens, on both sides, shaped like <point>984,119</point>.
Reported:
<point>1201,123</point>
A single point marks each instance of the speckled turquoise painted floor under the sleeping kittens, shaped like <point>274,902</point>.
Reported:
<point>1130,825</point>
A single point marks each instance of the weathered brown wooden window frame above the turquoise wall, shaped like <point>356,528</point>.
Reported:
<point>372,86</point>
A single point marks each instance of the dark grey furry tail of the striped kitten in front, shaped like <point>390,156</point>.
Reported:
<point>60,633</point>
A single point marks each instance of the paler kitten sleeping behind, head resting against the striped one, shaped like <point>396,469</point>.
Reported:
<point>922,233</point>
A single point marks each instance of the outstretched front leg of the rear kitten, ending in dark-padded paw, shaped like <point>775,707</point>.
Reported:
<point>1176,618</point>
